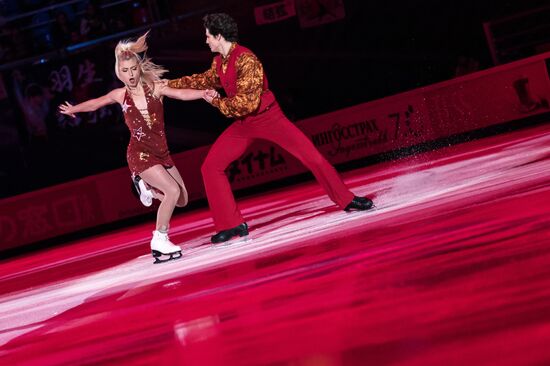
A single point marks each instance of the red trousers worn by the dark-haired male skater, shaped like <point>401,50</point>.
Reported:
<point>271,125</point>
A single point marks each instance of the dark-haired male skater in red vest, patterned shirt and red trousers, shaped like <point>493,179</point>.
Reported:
<point>257,116</point>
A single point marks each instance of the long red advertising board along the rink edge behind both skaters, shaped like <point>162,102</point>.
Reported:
<point>505,93</point>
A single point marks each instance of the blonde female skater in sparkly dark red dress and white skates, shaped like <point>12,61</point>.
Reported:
<point>147,154</point>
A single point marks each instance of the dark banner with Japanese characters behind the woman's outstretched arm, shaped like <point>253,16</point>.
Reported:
<point>40,88</point>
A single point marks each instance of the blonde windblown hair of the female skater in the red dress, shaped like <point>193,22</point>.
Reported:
<point>126,50</point>
